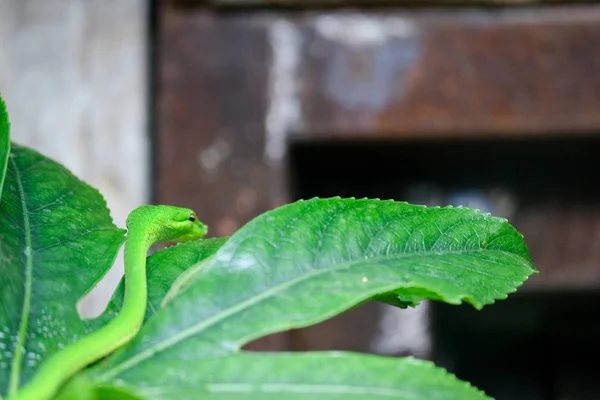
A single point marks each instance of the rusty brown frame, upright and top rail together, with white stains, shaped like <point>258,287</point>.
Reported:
<point>235,89</point>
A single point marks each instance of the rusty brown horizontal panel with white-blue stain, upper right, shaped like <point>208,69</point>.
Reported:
<point>451,74</point>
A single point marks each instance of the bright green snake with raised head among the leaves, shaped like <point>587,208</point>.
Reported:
<point>146,226</point>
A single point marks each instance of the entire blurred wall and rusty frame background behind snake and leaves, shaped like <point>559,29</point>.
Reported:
<point>233,107</point>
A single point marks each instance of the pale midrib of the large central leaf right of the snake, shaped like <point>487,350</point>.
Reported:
<point>195,329</point>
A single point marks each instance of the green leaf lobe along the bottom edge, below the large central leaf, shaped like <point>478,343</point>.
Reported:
<point>299,376</point>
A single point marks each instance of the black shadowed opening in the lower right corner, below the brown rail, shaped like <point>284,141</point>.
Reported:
<point>534,346</point>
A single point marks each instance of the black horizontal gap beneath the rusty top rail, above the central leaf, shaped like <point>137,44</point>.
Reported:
<point>537,169</point>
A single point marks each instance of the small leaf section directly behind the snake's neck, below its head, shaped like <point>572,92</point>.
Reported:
<point>164,267</point>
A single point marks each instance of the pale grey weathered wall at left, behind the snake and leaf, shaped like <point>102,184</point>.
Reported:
<point>73,74</point>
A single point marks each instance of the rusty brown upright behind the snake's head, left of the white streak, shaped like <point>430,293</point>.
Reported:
<point>211,123</point>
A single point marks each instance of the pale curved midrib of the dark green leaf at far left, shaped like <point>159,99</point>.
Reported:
<point>17,361</point>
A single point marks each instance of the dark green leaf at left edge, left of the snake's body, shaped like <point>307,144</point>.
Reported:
<point>57,240</point>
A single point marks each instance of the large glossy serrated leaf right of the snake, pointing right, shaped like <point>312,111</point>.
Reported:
<point>305,262</point>
